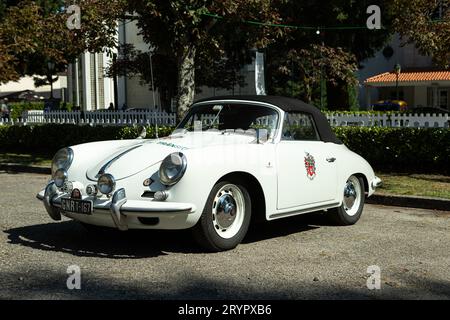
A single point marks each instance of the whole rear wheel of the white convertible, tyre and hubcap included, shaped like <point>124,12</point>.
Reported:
<point>352,204</point>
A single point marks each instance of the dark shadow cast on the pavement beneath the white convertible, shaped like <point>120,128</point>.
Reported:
<point>70,237</point>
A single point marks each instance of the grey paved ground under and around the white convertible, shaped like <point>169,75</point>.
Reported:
<point>299,258</point>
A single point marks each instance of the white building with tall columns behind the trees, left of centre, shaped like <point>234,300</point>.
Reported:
<point>91,90</point>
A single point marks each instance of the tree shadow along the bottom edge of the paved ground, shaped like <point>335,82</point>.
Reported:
<point>46,284</point>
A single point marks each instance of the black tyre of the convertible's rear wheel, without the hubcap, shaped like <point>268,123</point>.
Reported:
<point>340,216</point>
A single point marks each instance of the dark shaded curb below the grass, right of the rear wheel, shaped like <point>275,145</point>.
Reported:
<point>410,202</point>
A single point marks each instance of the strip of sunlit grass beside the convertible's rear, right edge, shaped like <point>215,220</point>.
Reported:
<point>425,185</point>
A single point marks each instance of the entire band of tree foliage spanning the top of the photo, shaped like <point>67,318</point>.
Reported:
<point>206,42</point>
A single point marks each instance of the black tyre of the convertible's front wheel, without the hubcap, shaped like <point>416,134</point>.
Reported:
<point>205,230</point>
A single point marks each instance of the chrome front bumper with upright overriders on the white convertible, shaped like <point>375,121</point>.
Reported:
<point>119,206</point>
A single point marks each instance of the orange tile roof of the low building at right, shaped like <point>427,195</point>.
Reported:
<point>411,76</point>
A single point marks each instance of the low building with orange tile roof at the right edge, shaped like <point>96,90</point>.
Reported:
<point>419,83</point>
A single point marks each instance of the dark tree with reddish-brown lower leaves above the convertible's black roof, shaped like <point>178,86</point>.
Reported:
<point>330,42</point>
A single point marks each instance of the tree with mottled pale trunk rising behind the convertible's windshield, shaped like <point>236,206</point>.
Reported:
<point>185,32</point>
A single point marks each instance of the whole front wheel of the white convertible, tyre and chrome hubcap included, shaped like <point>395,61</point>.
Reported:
<point>225,218</point>
